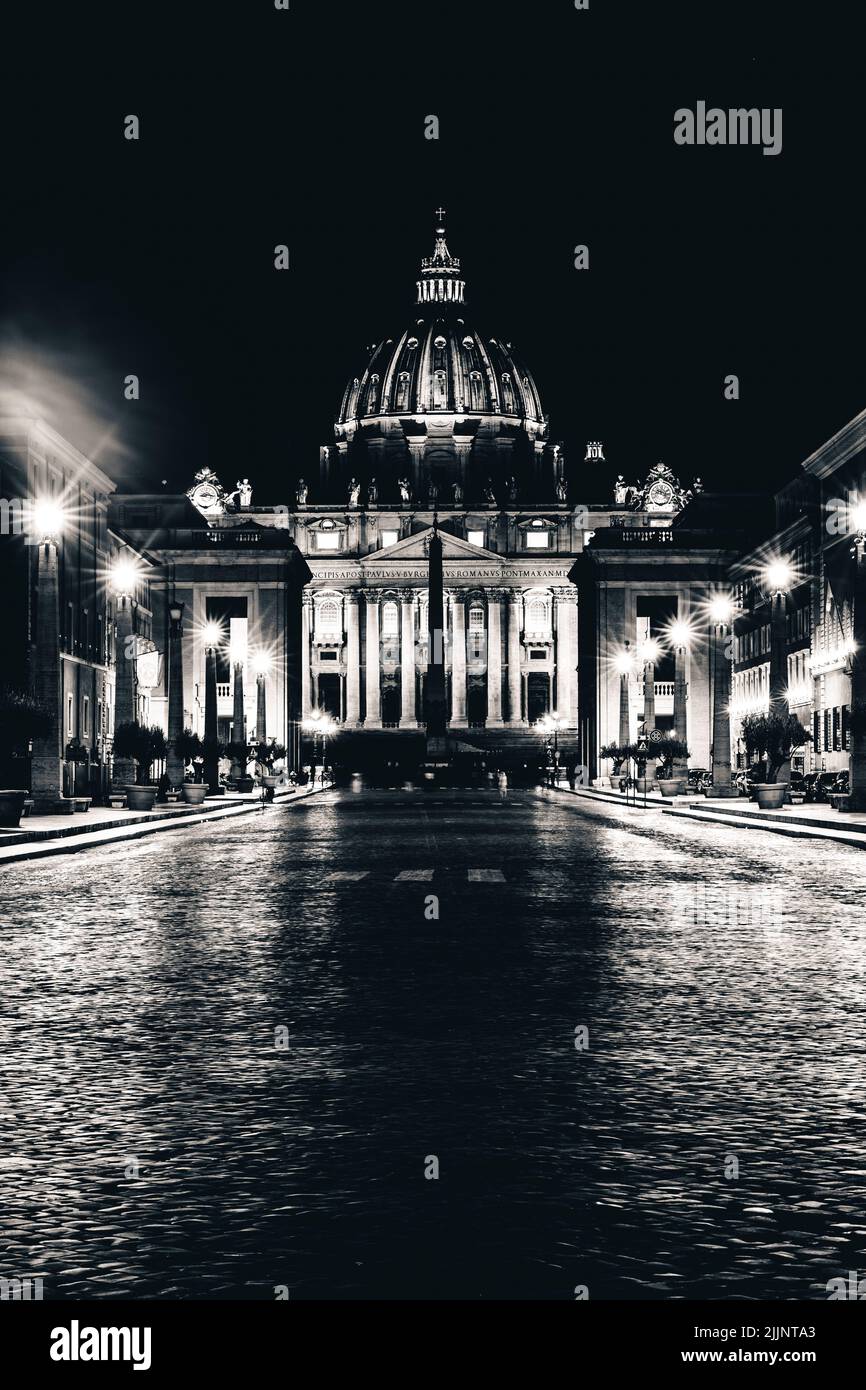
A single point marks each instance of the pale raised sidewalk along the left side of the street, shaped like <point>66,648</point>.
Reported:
<point>41,836</point>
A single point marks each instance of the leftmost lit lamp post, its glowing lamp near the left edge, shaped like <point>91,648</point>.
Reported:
<point>47,767</point>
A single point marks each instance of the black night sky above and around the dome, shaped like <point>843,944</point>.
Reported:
<point>557,129</point>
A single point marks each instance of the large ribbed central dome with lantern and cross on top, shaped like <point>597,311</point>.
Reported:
<point>440,365</point>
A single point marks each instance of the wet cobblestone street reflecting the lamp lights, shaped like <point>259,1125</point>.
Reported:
<point>721,976</point>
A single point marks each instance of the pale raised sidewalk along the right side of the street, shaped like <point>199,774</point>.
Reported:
<point>817,822</point>
